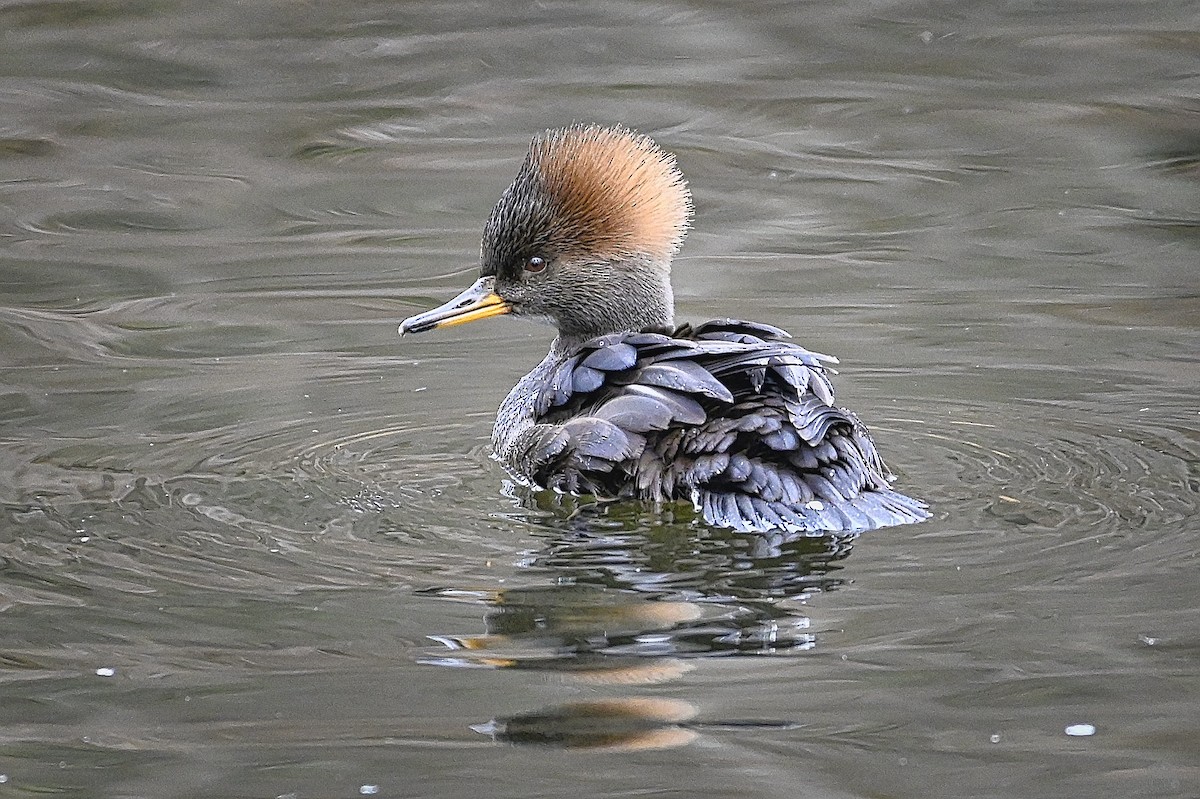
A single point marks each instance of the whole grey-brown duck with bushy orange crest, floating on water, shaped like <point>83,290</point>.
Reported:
<point>729,416</point>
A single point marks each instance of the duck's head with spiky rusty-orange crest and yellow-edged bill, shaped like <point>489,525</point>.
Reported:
<point>584,237</point>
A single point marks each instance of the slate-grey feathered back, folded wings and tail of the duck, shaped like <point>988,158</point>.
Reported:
<point>731,416</point>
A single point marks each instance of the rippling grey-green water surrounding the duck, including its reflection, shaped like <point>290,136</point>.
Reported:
<point>253,544</point>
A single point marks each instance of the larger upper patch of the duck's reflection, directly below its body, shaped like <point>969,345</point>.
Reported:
<point>629,597</point>
